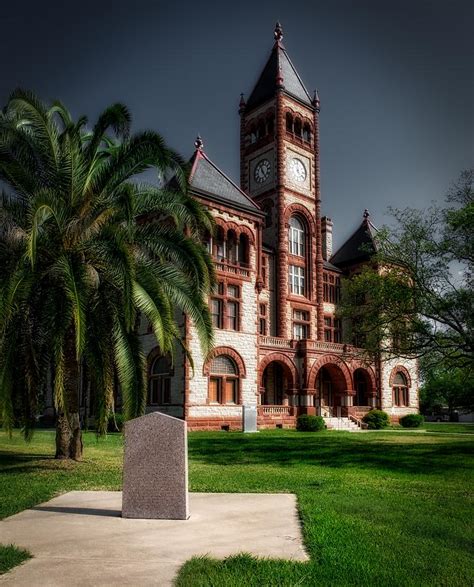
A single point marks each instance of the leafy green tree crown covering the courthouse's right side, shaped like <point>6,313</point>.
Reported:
<point>416,298</point>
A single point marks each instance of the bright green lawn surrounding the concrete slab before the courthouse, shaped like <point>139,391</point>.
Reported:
<point>382,508</point>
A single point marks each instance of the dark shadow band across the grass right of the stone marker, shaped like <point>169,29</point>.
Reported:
<point>329,450</point>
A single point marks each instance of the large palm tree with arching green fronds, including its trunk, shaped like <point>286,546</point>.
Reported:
<point>85,247</point>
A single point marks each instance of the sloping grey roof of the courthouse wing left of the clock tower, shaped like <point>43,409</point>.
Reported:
<point>208,180</point>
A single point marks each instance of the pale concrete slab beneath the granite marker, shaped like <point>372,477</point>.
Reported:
<point>80,538</point>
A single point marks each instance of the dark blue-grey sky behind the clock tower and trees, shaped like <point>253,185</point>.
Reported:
<point>395,78</point>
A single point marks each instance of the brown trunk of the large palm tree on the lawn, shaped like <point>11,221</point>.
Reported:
<point>68,426</point>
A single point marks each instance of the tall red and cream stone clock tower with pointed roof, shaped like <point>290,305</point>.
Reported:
<point>279,148</point>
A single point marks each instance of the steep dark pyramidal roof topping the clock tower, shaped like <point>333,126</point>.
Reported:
<point>266,85</point>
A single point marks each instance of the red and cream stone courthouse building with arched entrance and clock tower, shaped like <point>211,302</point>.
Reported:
<point>279,346</point>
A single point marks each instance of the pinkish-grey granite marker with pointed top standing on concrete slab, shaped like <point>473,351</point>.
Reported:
<point>155,472</point>
